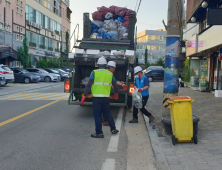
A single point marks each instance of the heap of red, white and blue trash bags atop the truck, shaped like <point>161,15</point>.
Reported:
<point>110,23</point>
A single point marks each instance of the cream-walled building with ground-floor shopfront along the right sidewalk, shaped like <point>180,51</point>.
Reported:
<point>203,46</point>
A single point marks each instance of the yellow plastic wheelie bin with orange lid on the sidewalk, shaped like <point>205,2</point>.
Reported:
<point>181,119</point>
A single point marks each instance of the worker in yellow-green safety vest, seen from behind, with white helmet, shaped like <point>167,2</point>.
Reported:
<point>99,84</point>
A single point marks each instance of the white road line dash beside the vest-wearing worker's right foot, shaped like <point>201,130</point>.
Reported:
<point>114,141</point>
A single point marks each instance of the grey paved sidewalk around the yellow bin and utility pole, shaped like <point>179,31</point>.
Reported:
<point>207,154</point>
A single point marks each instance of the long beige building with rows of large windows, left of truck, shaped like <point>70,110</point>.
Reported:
<point>47,22</point>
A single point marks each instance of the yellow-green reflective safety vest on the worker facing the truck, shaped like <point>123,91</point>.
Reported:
<point>102,83</point>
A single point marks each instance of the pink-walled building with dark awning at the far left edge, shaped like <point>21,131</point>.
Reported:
<point>12,26</point>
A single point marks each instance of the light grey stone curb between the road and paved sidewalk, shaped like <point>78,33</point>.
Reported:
<point>161,162</point>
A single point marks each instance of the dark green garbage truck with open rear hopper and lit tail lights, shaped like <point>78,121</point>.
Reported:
<point>85,61</point>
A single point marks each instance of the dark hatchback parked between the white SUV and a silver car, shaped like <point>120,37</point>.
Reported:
<point>22,75</point>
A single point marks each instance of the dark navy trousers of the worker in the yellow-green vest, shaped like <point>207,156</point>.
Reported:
<point>102,105</point>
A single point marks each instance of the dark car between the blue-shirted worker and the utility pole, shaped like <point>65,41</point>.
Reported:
<point>155,74</point>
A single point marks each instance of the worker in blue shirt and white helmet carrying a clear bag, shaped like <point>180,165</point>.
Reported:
<point>142,84</point>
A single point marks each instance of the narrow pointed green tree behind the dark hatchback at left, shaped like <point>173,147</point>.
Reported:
<point>23,55</point>
